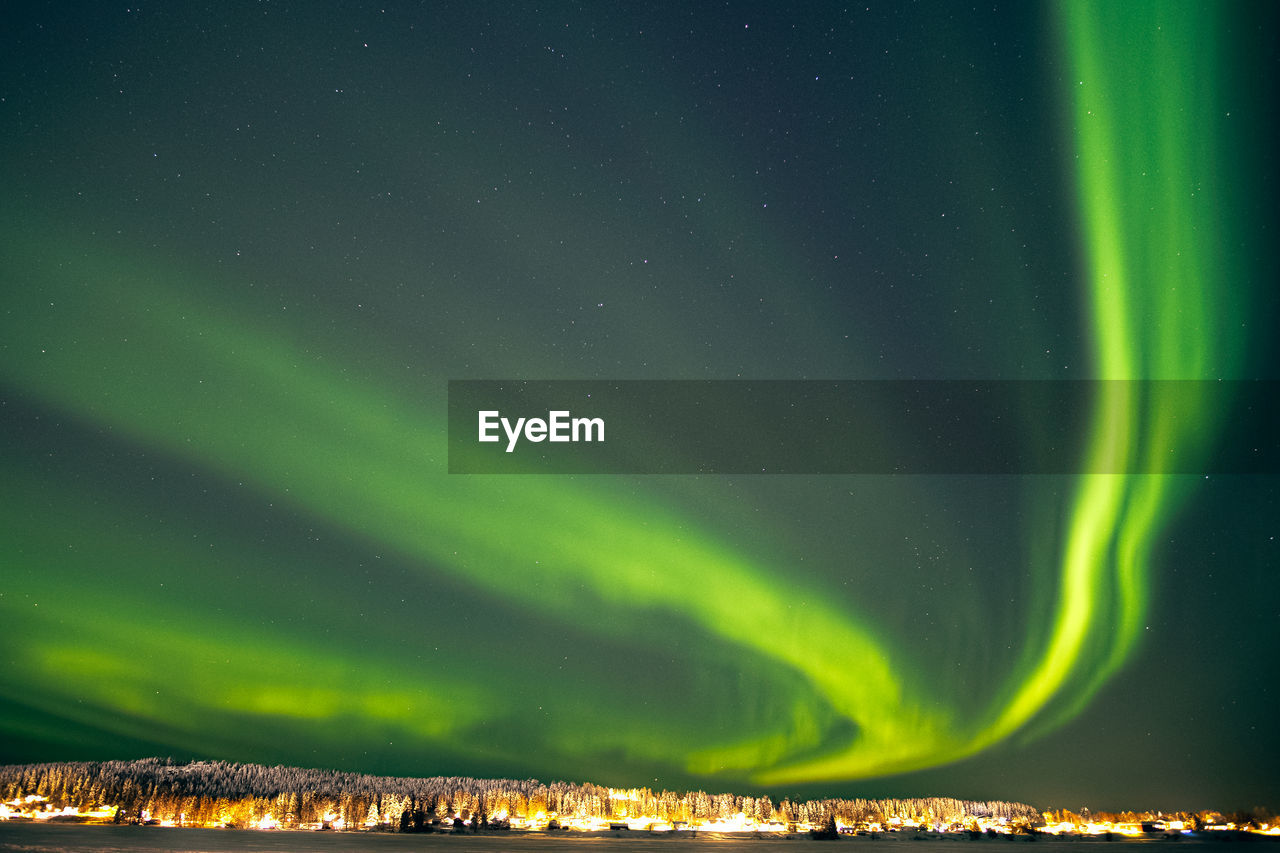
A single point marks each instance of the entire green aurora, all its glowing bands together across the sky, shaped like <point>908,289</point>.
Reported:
<point>170,372</point>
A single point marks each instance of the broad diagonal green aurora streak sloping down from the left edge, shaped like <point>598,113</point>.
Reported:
<point>177,376</point>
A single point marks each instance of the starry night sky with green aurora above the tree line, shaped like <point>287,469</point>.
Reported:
<point>245,248</point>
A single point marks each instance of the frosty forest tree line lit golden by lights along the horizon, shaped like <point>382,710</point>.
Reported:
<point>214,792</point>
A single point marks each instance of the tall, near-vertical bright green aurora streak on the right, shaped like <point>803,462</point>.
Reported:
<point>1142,83</point>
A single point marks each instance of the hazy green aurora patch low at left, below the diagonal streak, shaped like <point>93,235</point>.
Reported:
<point>144,663</point>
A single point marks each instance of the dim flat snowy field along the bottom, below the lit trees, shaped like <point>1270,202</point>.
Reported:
<point>44,838</point>
